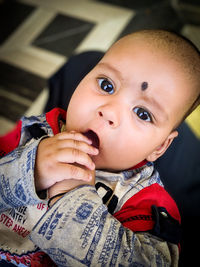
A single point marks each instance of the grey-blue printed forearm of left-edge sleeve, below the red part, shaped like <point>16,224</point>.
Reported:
<point>17,186</point>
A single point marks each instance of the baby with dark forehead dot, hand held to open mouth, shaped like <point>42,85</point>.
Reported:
<point>122,117</point>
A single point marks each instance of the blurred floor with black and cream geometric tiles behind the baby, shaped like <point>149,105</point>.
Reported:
<point>37,38</point>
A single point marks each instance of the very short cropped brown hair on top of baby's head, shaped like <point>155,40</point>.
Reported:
<point>183,51</point>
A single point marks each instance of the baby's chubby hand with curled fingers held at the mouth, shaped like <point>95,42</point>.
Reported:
<point>61,157</point>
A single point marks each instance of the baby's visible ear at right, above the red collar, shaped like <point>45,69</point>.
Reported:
<point>162,148</point>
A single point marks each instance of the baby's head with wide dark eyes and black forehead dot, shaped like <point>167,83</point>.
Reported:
<point>136,96</point>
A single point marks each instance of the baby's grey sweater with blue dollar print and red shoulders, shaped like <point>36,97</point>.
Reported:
<point>127,219</point>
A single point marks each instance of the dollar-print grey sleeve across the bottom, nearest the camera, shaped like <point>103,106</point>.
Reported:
<point>78,230</point>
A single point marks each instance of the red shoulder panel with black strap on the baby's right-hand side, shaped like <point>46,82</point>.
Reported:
<point>152,209</point>
